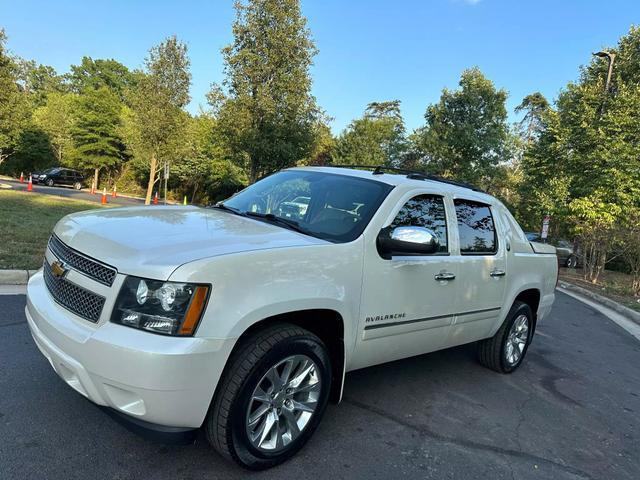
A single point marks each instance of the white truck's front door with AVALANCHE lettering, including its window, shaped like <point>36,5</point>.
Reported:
<point>407,301</point>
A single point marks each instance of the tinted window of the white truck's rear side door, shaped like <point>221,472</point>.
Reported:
<point>476,228</point>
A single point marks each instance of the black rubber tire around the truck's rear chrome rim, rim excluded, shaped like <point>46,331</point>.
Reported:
<point>492,351</point>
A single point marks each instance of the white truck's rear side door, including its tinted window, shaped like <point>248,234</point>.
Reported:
<point>482,272</point>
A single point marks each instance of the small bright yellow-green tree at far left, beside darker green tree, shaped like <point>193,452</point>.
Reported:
<point>56,119</point>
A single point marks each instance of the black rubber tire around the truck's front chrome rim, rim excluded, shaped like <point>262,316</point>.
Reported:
<point>225,423</point>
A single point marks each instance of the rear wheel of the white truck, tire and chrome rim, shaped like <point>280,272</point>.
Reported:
<point>505,351</point>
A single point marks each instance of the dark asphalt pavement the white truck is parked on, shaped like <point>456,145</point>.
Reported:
<point>571,411</point>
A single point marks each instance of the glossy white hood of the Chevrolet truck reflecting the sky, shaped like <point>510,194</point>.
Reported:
<point>153,241</point>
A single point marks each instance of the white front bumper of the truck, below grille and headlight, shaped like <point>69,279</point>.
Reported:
<point>156,379</point>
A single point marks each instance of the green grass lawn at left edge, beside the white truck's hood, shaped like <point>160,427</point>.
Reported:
<point>26,222</point>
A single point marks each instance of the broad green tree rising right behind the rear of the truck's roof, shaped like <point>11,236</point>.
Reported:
<point>466,135</point>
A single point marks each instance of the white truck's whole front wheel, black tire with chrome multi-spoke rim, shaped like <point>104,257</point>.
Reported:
<point>271,398</point>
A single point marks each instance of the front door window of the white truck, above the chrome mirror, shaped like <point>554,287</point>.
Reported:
<point>425,211</point>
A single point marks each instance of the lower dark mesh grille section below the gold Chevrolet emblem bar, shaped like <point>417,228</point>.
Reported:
<point>80,301</point>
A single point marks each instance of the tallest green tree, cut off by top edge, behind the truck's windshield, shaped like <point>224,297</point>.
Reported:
<point>266,109</point>
